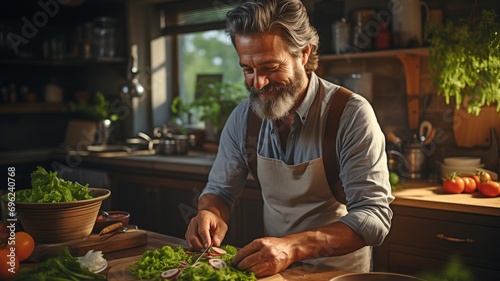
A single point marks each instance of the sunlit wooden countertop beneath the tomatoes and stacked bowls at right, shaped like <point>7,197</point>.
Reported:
<point>430,194</point>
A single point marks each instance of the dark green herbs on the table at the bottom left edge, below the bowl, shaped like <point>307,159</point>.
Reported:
<point>58,268</point>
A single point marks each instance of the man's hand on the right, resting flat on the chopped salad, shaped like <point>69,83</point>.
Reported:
<point>265,256</point>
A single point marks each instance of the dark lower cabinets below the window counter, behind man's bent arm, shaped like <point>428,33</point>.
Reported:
<point>166,204</point>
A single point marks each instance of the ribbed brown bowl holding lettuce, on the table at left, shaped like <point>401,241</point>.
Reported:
<point>63,221</point>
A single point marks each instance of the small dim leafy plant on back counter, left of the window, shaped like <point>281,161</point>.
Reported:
<point>97,109</point>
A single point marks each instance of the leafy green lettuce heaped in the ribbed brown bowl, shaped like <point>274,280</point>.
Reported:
<point>46,187</point>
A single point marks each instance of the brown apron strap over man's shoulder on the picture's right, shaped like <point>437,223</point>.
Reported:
<point>330,161</point>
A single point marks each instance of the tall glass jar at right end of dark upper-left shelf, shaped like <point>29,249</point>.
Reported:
<point>105,36</point>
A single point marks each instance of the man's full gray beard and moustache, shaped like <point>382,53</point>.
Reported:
<point>275,107</point>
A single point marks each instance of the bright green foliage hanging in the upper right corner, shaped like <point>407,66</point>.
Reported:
<point>464,58</point>
